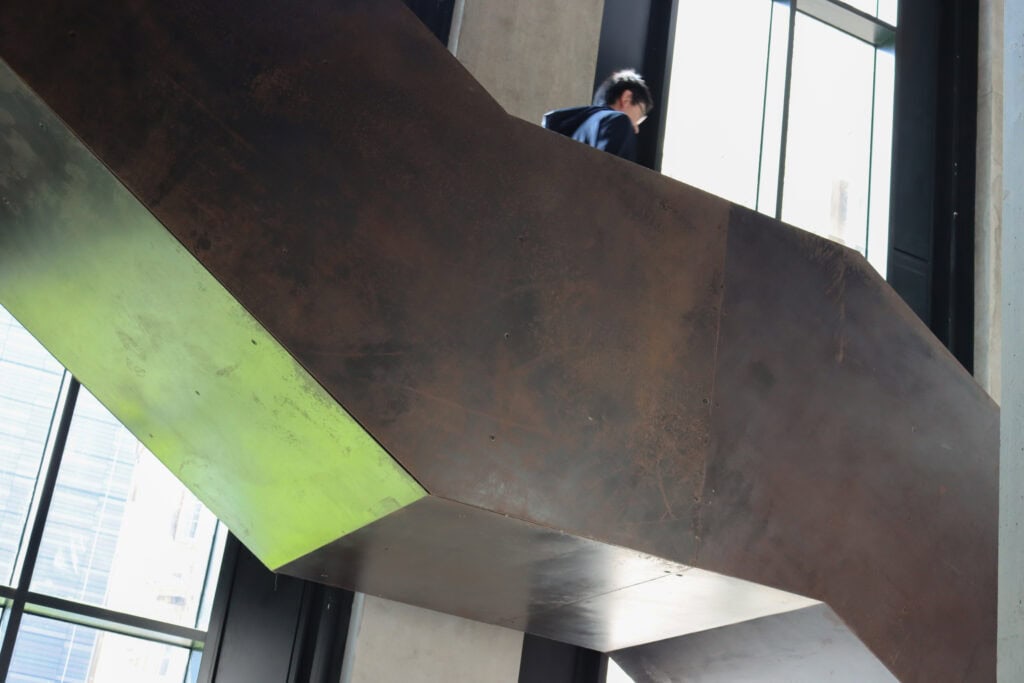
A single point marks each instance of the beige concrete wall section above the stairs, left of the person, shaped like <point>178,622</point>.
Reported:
<point>532,57</point>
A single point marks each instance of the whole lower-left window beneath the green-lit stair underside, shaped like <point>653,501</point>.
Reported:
<point>108,564</point>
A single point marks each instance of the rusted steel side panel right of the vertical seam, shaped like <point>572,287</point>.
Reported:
<point>854,460</point>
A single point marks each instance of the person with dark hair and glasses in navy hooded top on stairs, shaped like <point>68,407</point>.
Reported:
<point>612,123</point>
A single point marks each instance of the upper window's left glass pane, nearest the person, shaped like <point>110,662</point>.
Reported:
<point>716,99</point>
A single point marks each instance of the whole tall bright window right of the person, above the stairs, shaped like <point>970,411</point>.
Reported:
<point>787,108</point>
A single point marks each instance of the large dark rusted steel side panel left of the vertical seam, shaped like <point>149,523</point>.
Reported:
<point>514,316</point>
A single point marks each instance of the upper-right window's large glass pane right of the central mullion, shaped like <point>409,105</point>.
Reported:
<point>830,135</point>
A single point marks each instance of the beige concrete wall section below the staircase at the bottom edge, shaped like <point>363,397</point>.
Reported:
<point>391,643</point>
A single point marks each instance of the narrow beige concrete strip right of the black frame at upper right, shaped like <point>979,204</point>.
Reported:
<point>989,203</point>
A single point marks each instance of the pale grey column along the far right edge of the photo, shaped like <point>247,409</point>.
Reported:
<point>1011,617</point>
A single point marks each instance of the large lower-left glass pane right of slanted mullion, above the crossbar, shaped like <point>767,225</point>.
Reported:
<point>122,533</point>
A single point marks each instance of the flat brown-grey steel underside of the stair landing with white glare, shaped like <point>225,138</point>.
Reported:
<point>527,577</point>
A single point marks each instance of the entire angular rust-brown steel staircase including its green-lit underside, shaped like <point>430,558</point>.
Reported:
<point>603,378</point>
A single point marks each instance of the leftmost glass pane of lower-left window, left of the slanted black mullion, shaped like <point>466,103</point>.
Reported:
<point>30,386</point>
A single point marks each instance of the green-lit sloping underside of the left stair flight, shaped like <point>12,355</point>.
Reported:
<point>124,307</point>
